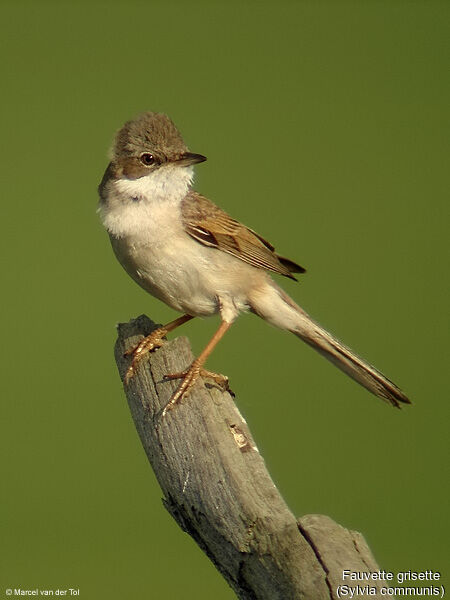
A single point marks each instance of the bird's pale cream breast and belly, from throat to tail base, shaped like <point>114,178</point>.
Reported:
<point>149,240</point>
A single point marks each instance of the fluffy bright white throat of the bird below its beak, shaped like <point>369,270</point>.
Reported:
<point>131,205</point>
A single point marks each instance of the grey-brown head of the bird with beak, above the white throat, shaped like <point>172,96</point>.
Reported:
<point>149,142</point>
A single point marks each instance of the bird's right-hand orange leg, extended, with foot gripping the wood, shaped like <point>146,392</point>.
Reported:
<point>190,376</point>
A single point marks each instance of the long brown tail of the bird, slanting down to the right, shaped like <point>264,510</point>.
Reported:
<point>276,307</point>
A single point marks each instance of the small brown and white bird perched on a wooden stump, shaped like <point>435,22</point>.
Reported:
<point>189,253</point>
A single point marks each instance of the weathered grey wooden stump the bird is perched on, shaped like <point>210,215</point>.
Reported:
<point>216,486</point>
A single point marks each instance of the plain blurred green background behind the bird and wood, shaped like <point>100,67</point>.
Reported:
<point>324,125</point>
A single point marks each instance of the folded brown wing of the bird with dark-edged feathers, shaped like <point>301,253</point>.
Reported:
<point>211,226</point>
